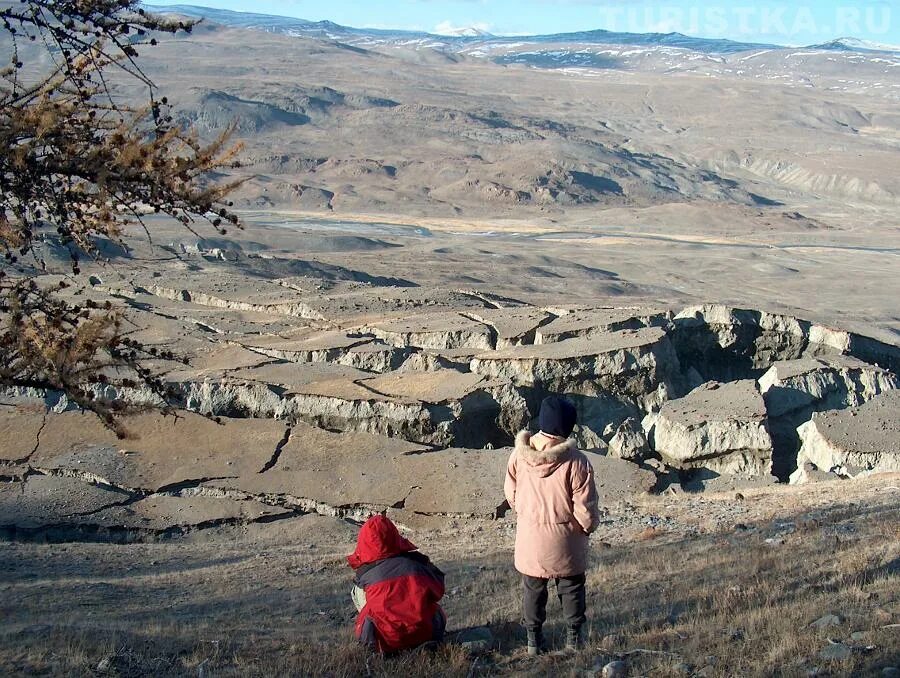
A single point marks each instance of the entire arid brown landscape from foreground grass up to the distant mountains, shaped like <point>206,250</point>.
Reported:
<point>703,252</point>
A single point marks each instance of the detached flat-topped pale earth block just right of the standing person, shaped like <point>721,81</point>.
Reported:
<point>720,427</point>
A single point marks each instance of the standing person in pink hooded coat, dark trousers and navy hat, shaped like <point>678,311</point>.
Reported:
<point>550,485</point>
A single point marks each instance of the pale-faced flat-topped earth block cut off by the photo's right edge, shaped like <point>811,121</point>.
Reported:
<point>861,440</point>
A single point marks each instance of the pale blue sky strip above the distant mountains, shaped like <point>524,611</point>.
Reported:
<point>792,23</point>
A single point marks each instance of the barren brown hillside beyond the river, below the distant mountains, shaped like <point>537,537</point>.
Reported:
<point>487,126</point>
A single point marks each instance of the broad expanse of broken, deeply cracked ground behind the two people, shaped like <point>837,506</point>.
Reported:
<point>343,397</point>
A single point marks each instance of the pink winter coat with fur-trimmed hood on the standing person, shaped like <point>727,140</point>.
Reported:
<point>553,493</point>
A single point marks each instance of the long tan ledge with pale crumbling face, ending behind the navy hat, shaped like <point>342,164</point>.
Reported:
<point>437,407</point>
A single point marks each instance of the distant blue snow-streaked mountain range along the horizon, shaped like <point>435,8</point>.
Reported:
<point>467,40</point>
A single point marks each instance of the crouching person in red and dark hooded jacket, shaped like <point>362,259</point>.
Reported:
<point>396,590</point>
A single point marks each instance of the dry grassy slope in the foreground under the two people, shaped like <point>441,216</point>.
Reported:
<point>727,604</point>
